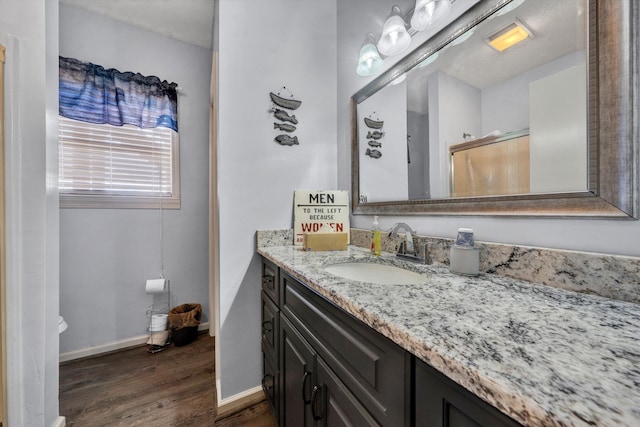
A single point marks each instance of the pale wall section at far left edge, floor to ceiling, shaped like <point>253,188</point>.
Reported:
<point>28,29</point>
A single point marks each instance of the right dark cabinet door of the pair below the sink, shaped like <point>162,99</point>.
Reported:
<point>333,405</point>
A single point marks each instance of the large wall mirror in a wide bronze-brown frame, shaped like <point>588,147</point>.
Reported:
<point>545,127</point>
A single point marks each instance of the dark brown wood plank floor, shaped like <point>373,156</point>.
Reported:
<point>175,387</point>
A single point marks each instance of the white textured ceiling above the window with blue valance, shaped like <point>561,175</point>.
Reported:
<point>190,21</point>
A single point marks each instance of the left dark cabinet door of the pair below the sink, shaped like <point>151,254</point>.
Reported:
<point>298,364</point>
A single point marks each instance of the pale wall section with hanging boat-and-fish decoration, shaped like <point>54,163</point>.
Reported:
<point>265,45</point>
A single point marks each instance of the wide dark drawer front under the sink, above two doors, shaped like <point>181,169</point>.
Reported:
<point>373,367</point>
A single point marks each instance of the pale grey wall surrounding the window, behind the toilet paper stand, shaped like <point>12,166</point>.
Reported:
<point>106,255</point>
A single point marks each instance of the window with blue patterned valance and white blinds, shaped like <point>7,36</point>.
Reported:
<point>118,138</point>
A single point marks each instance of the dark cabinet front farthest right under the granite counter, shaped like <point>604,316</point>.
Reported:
<point>440,402</point>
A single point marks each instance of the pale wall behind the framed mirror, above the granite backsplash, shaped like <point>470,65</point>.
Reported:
<point>356,18</point>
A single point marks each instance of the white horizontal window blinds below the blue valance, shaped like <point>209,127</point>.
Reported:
<point>106,166</point>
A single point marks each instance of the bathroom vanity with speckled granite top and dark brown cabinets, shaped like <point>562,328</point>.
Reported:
<point>488,351</point>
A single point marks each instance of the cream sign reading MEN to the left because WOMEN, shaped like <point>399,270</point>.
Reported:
<point>320,212</point>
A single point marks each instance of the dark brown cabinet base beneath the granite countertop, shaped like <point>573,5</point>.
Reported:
<point>323,368</point>
